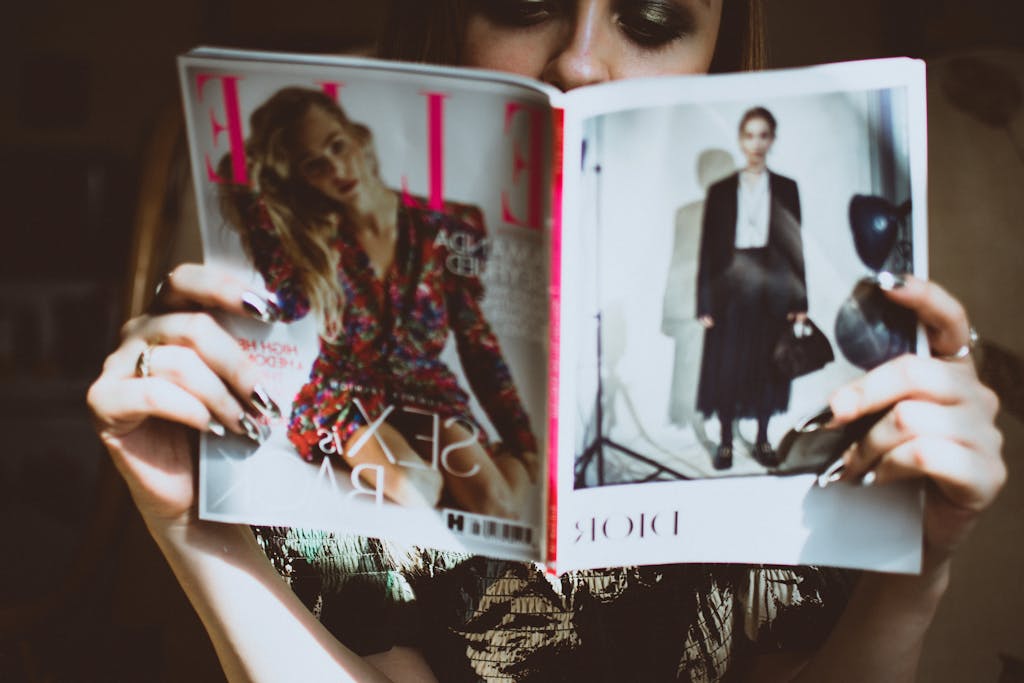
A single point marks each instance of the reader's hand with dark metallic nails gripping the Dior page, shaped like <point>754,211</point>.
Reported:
<point>941,422</point>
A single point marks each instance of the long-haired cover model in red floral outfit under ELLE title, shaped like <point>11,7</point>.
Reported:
<point>331,240</point>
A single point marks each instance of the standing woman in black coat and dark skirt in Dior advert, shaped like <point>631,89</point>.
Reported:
<point>751,287</point>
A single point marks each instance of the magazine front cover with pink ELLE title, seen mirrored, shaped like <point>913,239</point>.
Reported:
<point>394,222</point>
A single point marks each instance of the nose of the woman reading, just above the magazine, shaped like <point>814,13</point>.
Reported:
<point>584,56</point>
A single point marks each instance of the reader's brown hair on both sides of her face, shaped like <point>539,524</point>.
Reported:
<point>433,31</point>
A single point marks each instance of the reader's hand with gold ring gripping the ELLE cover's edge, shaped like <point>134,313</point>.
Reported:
<point>175,373</point>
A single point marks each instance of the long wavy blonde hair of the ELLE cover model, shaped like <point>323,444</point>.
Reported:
<point>300,216</point>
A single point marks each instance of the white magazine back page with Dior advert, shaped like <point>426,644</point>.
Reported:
<point>724,242</point>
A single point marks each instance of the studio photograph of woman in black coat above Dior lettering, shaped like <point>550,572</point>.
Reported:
<point>786,221</point>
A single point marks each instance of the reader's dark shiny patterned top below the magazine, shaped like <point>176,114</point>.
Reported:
<point>484,620</point>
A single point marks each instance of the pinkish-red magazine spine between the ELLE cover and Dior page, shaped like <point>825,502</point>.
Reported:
<point>554,323</point>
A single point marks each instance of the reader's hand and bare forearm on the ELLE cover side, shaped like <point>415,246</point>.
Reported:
<point>147,404</point>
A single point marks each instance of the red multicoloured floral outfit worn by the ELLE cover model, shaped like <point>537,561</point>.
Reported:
<point>395,329</point>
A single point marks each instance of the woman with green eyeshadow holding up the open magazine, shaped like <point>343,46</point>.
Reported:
<point>420,616</point>
